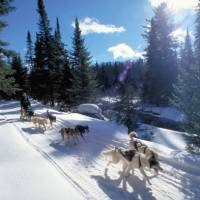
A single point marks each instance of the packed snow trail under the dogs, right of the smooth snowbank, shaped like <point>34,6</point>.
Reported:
<point>85,167</point>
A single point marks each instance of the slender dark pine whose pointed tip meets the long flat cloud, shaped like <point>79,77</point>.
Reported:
<point>84,83</point>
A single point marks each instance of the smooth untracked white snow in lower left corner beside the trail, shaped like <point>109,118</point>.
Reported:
<point>25,174</point>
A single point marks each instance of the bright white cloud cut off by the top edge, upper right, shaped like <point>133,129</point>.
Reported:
<point>176,4</point>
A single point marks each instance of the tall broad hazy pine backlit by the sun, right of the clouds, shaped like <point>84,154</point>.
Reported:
<point>161,58</point>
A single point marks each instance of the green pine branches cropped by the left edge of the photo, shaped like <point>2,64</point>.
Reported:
<point>7,82</point>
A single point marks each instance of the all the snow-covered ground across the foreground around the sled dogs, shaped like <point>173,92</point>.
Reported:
<point>36,163</point>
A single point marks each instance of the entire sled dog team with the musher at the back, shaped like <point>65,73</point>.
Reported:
<point>136,156</point>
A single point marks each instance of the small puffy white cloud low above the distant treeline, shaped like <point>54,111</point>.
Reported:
<point>124,51</point>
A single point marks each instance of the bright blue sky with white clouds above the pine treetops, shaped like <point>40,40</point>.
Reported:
<point>112,28</point>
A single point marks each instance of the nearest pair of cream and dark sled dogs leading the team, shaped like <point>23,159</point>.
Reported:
<point>137,156</point>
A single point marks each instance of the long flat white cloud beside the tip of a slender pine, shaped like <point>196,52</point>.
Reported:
<point>91,25</point>
